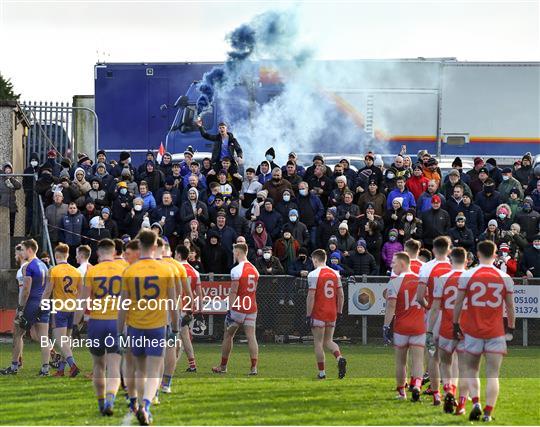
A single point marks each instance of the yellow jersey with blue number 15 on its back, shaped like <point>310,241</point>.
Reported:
<point>143,281</point>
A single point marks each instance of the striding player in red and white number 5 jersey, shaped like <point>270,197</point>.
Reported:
<point>243,309</point>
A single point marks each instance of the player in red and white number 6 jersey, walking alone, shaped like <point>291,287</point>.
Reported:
<point>324,305</point>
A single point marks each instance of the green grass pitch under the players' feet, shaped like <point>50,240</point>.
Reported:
<point>285,392</point>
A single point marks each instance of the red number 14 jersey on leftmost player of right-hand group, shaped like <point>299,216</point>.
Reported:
<point>409,315</point>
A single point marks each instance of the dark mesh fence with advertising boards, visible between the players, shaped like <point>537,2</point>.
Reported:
<point>281,313</point>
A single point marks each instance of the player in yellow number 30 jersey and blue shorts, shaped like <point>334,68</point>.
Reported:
<point>103,282</point>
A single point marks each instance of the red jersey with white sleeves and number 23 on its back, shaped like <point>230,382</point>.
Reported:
<point>485,288</point>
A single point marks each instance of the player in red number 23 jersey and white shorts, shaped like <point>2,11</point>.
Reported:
<point>487,290</point>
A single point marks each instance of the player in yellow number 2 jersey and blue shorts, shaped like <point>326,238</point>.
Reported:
<point>65,284</point>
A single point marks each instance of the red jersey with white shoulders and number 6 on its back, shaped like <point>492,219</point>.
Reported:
<point>325,282</point>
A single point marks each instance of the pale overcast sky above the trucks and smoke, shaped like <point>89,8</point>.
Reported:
<point>48,48</point>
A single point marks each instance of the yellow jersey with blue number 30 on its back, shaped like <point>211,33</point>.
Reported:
<point>105,283</point>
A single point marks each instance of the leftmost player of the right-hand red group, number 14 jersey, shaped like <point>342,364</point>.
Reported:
<point>409,324</point>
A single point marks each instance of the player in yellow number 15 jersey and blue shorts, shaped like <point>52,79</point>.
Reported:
<point>148,286</point>
